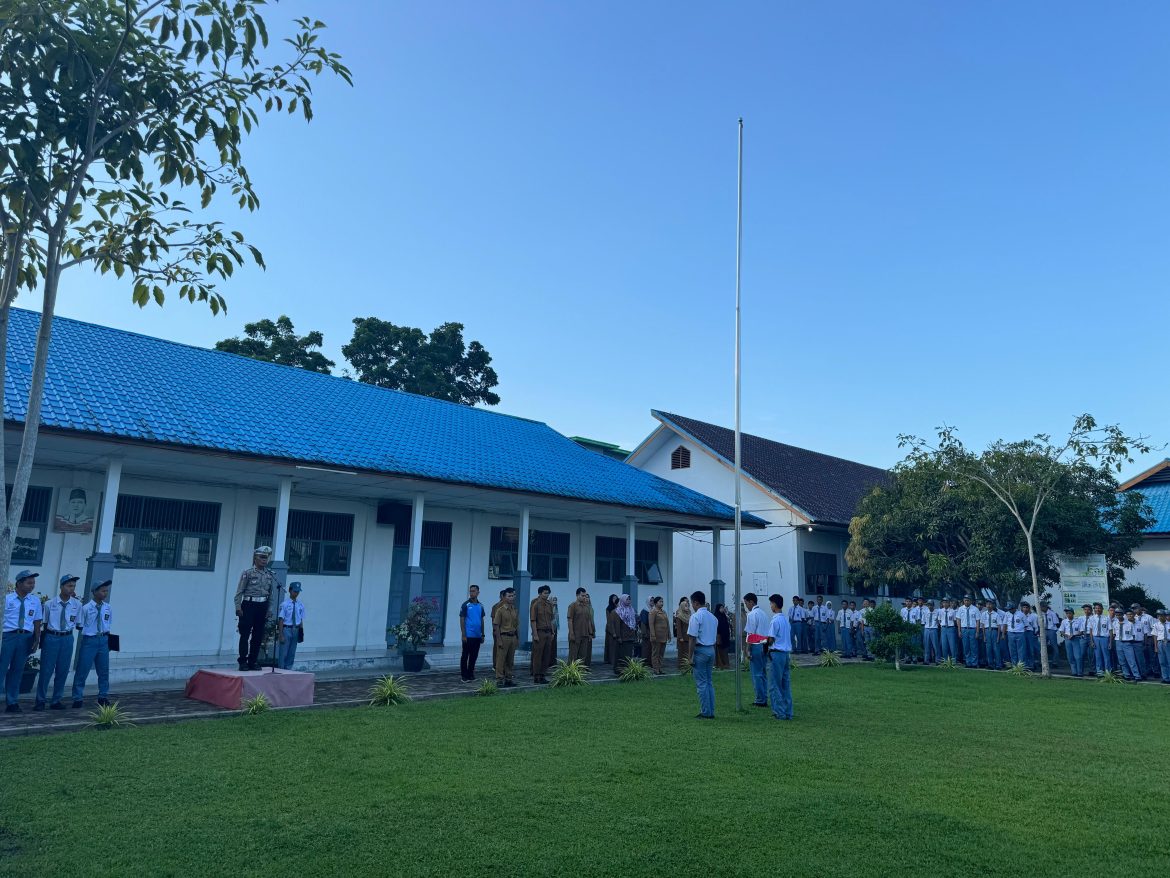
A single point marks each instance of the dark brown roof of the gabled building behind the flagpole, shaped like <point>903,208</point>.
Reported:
<point>825,488</point>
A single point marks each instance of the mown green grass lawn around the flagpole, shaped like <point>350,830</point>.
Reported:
<point>921,773</point>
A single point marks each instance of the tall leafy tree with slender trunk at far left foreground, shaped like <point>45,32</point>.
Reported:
<point>112,112</point>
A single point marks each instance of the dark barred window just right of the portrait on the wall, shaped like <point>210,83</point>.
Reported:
<point>154,533</point>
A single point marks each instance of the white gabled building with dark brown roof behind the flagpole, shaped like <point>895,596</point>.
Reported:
<point>808,499</point>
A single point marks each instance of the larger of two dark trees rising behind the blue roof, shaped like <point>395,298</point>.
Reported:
<point>441,366</point>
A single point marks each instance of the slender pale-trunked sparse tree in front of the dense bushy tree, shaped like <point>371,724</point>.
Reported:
<point>1027,476</point>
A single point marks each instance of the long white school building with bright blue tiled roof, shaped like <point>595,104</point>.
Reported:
<point>163,467</point>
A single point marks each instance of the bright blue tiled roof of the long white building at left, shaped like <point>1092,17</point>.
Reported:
<point>115,383</point>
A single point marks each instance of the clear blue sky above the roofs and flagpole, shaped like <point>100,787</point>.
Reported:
<point>954,212</point>
